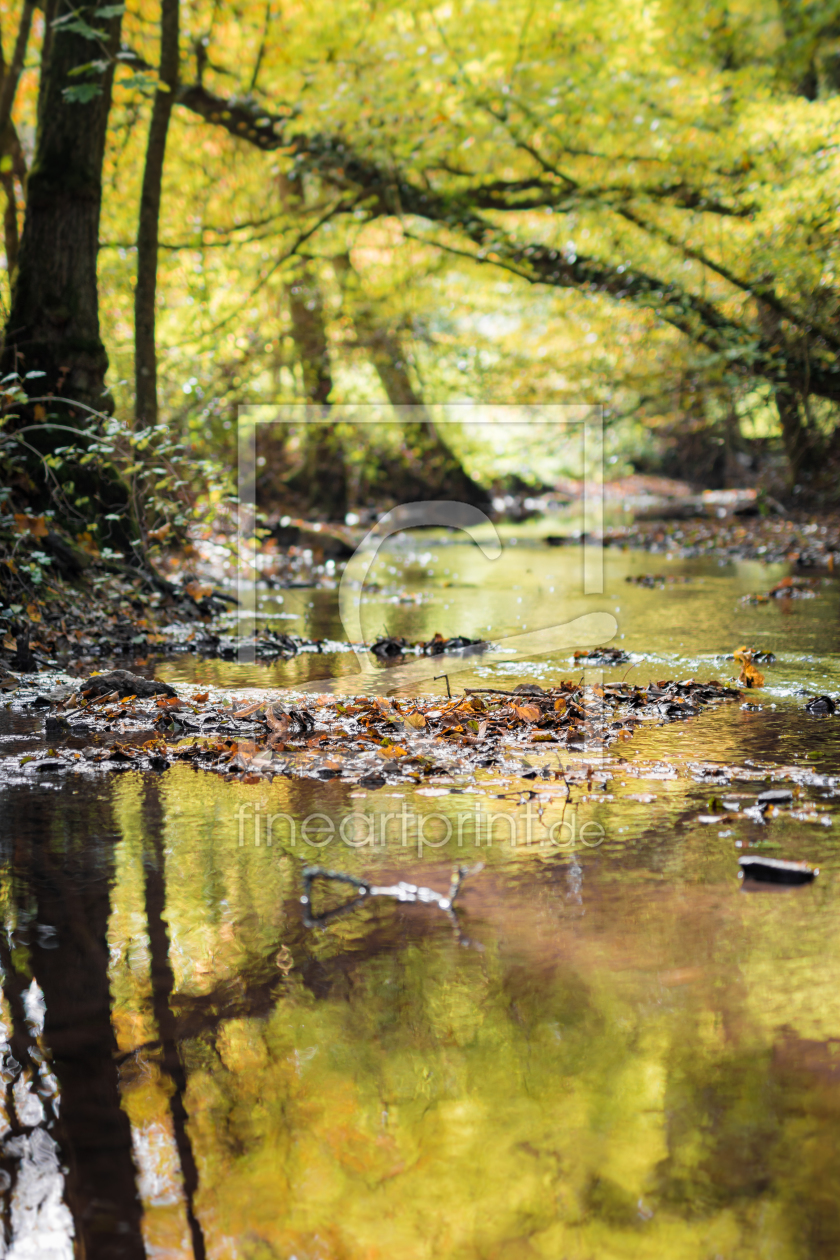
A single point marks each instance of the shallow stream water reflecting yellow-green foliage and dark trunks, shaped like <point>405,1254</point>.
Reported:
<point>615,1051</point>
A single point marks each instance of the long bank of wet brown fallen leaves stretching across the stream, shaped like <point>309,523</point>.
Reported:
<point>365,740</point>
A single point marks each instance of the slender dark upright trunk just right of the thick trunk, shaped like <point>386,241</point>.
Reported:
<point>153,180</point>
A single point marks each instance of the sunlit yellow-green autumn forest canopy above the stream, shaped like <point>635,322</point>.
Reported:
<point>531,202</point>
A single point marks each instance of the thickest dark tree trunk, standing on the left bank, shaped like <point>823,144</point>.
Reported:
<point>55,321</point>
